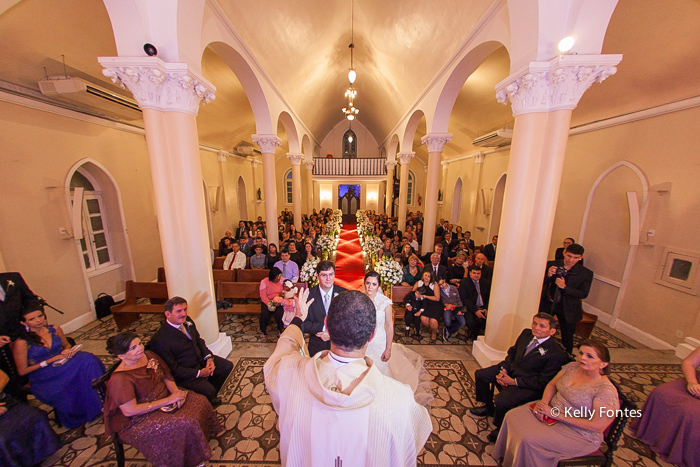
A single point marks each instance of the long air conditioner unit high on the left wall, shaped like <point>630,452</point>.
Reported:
<point>79,91</point>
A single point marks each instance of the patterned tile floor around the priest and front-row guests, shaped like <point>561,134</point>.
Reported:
<point>251,437</point>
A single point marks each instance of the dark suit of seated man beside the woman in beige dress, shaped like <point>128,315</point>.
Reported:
<point>531,372</point>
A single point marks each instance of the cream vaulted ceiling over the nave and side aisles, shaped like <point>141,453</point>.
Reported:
<point>400,46</point>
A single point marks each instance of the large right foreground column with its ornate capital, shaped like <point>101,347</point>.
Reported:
<point>542,98</point>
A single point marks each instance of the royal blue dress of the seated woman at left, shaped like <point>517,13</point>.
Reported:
<point>66,388</point>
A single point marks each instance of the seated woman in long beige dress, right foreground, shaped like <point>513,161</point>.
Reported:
<point>582,386</point>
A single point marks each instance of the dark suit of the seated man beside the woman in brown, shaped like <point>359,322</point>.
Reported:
<point>186,357</point>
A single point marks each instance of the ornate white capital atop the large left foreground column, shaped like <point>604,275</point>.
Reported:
<point>159,85</point>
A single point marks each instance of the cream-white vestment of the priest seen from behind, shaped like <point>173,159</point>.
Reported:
<point>341,417</point>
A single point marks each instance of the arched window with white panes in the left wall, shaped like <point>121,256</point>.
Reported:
<point>95,244</point>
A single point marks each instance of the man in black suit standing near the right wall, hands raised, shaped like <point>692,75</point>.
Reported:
<point>566,283</point>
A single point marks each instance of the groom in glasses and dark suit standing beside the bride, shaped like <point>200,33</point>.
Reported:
<point>322,294</point>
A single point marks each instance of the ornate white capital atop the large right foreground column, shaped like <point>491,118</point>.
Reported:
<point>554,85</point>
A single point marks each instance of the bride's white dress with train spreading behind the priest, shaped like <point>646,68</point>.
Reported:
<point>405,365</point>
